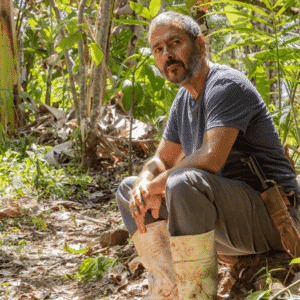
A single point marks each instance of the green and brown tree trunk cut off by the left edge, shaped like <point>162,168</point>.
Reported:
<point>10,115</point>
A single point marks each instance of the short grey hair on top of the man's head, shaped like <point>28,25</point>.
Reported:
<point>188,24</point>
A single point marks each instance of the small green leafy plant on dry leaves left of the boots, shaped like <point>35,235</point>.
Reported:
<point>93,268</point>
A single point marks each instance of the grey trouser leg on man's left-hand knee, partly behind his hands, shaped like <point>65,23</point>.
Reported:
<point>123,197</point>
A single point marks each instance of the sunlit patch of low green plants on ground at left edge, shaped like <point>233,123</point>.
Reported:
<point>23,171</point>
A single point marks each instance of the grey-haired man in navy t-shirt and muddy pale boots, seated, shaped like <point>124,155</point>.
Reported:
<point>209,202</point>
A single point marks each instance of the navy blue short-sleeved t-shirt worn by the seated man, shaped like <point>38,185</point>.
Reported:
<point>230,99</point>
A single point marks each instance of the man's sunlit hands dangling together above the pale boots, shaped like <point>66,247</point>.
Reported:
<point>140,201</point>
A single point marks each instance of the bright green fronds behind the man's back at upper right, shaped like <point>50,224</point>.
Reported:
<point>275,46</point>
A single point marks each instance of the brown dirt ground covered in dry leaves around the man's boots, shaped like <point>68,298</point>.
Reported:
<point>34,263</point>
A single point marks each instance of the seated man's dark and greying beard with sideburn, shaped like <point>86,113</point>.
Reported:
<point>193,68</point>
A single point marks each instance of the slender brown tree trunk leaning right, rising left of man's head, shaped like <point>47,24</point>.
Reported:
<point>90,156</point>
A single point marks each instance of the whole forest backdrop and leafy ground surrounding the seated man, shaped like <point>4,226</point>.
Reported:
<point>83,105</point>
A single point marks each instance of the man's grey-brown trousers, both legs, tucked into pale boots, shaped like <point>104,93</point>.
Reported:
<point>197,202</point>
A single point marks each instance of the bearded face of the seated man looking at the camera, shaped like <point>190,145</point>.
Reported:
<point>177,56</point>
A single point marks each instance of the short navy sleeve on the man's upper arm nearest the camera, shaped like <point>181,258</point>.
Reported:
<point>228,105</point>
